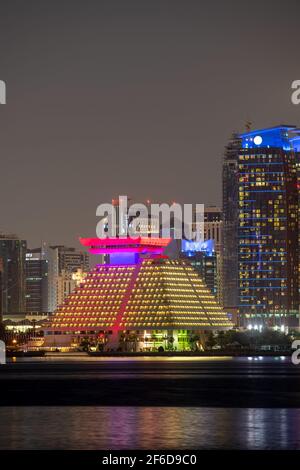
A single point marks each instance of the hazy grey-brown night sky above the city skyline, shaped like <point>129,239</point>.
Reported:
<point>132,97</point>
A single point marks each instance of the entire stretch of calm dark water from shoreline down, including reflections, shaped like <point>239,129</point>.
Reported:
<point>153,427</point>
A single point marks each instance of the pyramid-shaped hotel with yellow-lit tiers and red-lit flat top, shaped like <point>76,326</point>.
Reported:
<point>141,300</point>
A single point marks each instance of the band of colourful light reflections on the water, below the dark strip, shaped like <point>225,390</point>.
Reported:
<point>148,428</point>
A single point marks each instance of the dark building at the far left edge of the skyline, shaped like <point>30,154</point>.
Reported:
<point>12,255</point>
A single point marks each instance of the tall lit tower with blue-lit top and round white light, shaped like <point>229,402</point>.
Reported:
<point>268,244</point>
